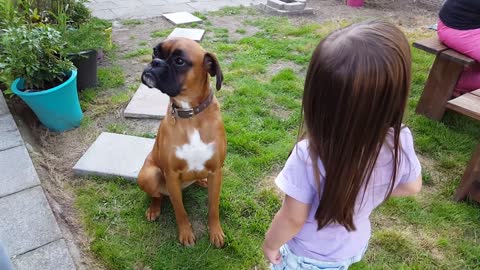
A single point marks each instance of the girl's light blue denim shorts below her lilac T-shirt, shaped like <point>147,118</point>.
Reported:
<point>291,261</point>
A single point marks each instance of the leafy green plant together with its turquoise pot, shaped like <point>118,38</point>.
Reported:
<point>46,79</point>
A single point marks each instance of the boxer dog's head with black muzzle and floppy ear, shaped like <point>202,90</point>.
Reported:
<point>180,67</point>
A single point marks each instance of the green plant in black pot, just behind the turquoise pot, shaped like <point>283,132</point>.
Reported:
<point>83,45</point>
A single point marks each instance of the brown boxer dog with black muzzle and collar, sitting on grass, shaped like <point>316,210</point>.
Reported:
<point>190,145</point>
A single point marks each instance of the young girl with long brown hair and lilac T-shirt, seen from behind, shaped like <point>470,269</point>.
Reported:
<point>354,154</point>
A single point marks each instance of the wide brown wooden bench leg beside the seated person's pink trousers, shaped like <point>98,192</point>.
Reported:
<point>439,87</point>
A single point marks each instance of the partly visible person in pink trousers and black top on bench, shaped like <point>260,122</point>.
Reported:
<point>459,29</point>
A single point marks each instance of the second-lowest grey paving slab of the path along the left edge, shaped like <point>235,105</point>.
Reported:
<point>26,221</point>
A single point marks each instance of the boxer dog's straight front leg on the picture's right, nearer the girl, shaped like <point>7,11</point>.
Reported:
<point>215,229</point>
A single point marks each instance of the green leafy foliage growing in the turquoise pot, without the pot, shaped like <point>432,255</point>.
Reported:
<point>36,55</point>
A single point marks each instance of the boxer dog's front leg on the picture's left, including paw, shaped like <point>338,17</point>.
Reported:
<point>185,232</point>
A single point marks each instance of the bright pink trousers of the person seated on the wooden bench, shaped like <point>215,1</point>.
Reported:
<point>466,42</point>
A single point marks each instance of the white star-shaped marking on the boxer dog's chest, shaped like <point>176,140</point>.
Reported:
<point>196,152</point>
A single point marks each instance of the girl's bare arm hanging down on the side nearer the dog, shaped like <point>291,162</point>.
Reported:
<point>285,225</point>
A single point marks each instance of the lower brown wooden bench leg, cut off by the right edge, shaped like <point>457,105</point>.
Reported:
<point>470,184</point>
